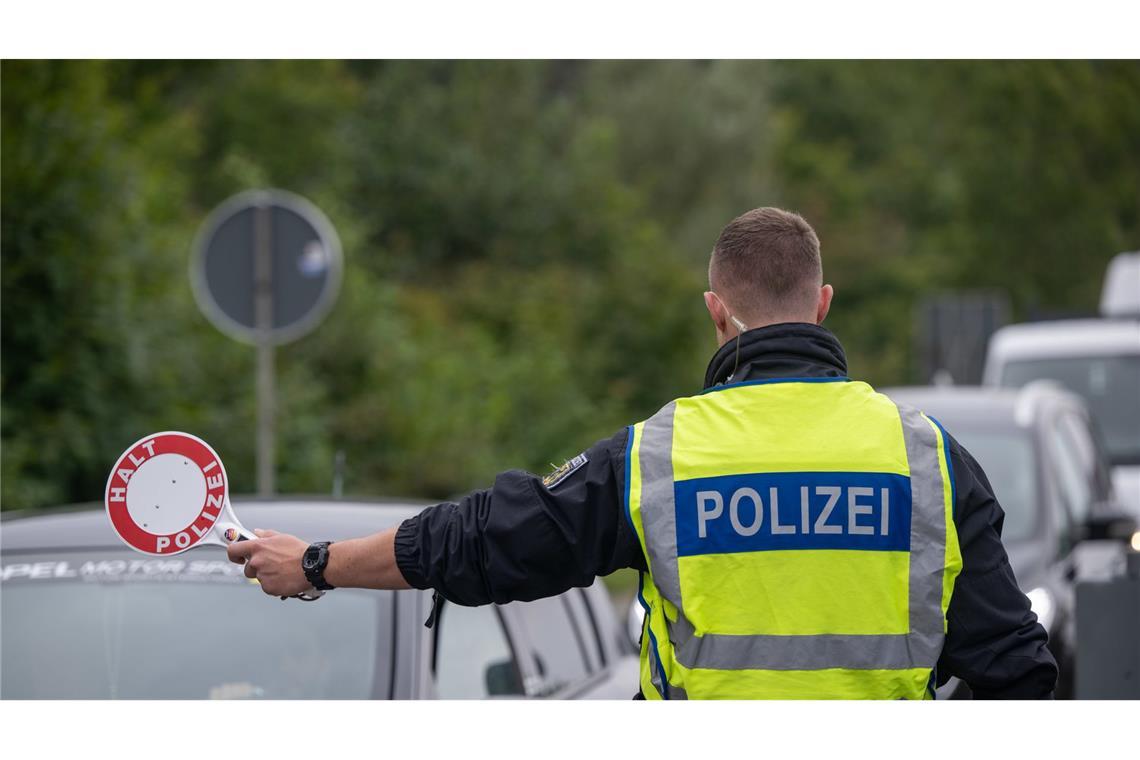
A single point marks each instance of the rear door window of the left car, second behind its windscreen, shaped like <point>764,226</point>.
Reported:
<point>559,644</point>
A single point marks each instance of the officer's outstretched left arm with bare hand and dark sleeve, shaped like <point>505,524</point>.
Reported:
<point>523,540</point>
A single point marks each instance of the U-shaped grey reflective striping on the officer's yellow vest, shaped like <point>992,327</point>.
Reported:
<point>918,649</point>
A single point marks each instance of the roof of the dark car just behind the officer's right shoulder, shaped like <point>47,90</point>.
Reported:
<point>984,407</point>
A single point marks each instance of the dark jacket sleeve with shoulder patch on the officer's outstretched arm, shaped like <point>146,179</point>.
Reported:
<point>526,537</point>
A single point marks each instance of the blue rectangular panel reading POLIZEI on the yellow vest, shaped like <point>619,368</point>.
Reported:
<point>769,512</point>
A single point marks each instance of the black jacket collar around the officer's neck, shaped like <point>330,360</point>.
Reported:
<point>785,350</point>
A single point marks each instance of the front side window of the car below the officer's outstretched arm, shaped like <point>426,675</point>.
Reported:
<point>474,657</point>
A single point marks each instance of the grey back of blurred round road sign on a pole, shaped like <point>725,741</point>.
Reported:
<point>266,267</point>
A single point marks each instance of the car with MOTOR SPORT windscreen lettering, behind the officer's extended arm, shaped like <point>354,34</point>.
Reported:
<point>84,617</point>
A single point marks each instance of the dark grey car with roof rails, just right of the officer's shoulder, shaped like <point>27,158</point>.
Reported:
<point>1044,457</point>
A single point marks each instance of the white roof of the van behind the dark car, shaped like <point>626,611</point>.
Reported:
<point>1066,338</point>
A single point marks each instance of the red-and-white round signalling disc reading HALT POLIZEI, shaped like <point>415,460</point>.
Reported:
<point>168,493</point>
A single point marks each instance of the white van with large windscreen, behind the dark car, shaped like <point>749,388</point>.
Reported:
<point>1098,359</point>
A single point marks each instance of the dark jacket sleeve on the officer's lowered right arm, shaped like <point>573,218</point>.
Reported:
<point>995,642</point>
